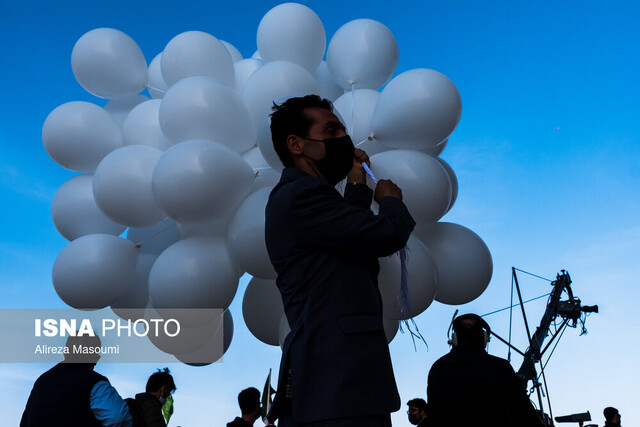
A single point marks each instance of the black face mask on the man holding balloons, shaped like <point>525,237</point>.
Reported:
<point>338,160</point>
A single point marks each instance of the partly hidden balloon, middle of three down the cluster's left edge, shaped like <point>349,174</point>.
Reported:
<point>75,212</point>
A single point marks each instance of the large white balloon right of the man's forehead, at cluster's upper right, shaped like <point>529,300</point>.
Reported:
<point>417,109</point>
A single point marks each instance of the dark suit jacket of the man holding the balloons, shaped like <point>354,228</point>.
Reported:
<point>324,248</point>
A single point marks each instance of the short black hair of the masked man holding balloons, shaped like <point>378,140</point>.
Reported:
<point>289,118</point>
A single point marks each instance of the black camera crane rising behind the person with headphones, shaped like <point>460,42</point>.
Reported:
<point>571,311</point>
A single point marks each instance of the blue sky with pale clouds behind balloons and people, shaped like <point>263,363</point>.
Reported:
<point>546,154</point>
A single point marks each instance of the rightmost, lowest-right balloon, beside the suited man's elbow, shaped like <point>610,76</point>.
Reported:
<point>463,259</point>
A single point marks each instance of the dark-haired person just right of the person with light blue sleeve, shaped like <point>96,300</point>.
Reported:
<point>148,405</point>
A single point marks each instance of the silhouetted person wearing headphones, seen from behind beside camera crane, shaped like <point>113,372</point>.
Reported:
<point>469,387</point>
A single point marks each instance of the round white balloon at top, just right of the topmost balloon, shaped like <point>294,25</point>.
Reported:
<point>362,53</point>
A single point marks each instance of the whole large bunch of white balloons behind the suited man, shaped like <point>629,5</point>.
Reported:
<point>189,170</point>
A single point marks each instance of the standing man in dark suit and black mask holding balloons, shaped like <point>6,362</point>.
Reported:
<point>336,368</point>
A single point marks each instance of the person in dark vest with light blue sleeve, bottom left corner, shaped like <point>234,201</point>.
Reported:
<point>72,394</point>
